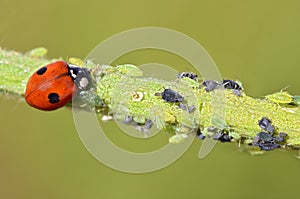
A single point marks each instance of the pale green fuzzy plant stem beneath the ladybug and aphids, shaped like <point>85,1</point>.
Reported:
<point>117,90</point>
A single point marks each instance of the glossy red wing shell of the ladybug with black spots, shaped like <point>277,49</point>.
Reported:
<point>50,87</point>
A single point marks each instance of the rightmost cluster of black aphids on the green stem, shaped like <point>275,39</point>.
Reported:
<point>267,140</point>
